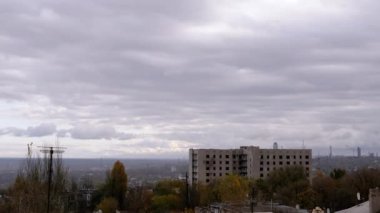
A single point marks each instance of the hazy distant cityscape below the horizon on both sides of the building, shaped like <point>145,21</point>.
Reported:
<point>148,171</point>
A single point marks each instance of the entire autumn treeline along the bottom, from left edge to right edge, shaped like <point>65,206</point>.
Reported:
<point>289,186</point>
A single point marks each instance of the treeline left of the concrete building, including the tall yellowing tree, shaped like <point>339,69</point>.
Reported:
<point>29,192</point>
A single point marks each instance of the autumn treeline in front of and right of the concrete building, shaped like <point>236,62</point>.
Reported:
<point>290,186</point>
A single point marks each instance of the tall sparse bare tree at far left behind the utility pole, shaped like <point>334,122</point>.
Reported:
<point>29,191</point>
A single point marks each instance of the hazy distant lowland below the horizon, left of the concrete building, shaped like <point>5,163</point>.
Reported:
<point>140,172</point>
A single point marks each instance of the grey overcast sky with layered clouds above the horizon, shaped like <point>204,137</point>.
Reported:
<point>143,79</point>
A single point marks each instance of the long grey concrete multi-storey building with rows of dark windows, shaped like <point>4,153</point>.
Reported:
<point>207,165</point>
